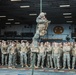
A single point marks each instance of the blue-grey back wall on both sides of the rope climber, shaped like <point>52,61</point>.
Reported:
<point>68,29</point>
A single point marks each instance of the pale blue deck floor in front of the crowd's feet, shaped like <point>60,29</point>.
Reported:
<point>27,71</point>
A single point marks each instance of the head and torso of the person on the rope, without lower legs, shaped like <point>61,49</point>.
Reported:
<point>42,24</point>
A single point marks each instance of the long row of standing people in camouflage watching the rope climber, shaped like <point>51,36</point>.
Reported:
<point>50,54</point>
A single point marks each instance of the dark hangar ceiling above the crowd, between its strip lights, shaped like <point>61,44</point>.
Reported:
<point>12,10</point>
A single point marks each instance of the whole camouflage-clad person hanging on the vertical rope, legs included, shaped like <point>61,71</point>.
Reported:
<point>42,24</point>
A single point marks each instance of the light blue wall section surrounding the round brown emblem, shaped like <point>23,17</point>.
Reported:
<point>51,34</point>
